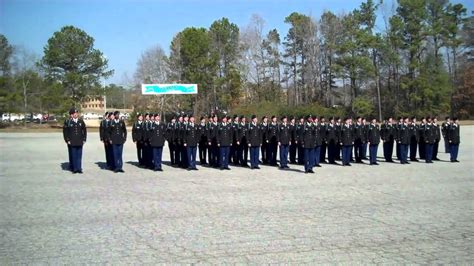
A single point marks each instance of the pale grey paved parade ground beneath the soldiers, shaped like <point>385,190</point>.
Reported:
<point>391,213</point>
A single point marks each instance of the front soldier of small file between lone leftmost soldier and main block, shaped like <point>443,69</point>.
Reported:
<point>117,135</point>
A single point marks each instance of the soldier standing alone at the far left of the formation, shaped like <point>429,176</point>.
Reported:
<point>76,136</point>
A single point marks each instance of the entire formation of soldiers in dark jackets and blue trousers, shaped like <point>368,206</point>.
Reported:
<point>307,141</point>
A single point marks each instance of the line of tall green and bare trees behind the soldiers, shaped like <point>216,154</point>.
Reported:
<point>419,61</point>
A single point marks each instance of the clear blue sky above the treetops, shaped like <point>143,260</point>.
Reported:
<point>124,29</point>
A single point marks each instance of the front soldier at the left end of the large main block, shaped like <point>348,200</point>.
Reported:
<point>156,137</point>
